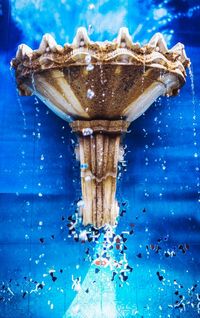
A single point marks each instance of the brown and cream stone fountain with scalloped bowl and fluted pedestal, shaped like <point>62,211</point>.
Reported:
<point>100,88</point>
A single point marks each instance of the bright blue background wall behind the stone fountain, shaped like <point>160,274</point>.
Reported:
<point>39,178</point>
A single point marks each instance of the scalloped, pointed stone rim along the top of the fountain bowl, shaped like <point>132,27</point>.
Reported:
<point>120,50</point>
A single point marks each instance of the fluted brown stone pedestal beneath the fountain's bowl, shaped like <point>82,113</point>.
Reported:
<point>99,151</point>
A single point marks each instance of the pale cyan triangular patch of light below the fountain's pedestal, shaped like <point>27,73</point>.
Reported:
<point>96,296</point>
